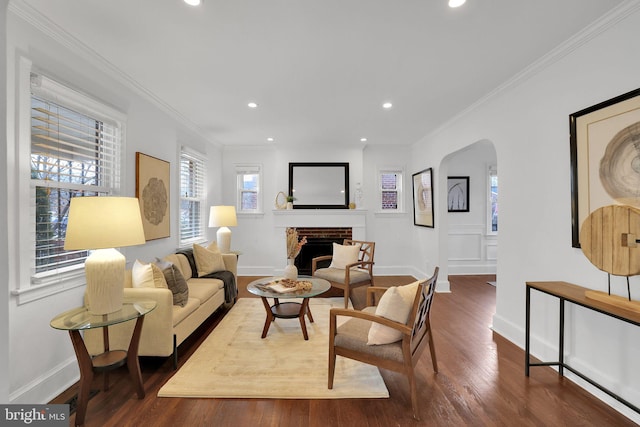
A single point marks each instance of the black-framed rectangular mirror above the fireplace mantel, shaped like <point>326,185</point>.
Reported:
<point>319,185</point>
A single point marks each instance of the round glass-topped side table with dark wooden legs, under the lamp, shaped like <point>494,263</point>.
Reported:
<point>79,319</point>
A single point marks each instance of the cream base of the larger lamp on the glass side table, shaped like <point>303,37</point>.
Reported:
<point>104,271</point>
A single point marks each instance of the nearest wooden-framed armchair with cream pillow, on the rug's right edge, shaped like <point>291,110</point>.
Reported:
<point>391,336</point>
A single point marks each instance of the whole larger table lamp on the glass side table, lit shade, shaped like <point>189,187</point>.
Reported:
<point>100,224</point>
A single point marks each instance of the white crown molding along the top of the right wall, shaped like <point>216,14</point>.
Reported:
<point>602,24</point>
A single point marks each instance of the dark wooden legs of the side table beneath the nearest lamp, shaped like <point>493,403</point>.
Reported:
<point>103,363</point>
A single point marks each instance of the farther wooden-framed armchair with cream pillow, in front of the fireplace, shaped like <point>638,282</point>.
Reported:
<point>351,266</point>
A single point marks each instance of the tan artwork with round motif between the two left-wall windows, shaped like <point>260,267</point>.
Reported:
<point>152,191</point>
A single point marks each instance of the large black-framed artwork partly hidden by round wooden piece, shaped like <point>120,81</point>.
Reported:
<point>605,164</point>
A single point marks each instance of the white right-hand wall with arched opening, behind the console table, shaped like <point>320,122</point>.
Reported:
<point>527,121</point>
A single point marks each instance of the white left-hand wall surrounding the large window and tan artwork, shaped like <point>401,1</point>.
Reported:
<point>41,360</point>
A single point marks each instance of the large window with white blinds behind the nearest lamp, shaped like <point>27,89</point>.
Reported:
<point>75,151</point>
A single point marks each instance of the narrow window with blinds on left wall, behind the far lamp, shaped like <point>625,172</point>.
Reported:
<point>192,197</point>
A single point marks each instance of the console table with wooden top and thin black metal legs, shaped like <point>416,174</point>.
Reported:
<point>567,292</point>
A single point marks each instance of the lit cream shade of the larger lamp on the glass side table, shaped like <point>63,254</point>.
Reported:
<point>104,222</point>
